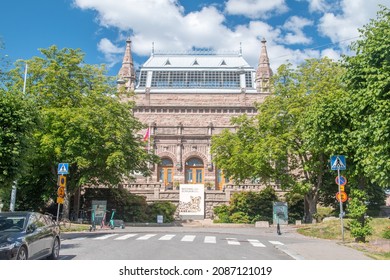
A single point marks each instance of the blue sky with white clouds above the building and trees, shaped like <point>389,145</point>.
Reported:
<point>294,29</point>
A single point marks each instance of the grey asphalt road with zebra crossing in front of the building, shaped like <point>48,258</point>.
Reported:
<point>201,243</point>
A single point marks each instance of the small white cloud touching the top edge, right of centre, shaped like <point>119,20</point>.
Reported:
<point>256,8</point>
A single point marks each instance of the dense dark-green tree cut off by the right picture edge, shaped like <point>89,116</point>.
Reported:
<point>367,78</point>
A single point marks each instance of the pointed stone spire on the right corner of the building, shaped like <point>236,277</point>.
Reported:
<point>264,71</point>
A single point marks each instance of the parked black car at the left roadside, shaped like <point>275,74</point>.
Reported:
<point>28,235</point>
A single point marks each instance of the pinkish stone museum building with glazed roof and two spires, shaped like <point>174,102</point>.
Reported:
<point>184,98</point>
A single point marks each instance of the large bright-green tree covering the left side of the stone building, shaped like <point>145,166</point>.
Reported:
<point>84,123</point>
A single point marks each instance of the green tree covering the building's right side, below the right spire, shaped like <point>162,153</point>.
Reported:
<point>293,135</point>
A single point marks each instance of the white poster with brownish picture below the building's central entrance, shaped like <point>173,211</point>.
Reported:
<point>191,201</point>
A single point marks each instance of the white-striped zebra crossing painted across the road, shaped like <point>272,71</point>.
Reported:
<point>208,239</point>
